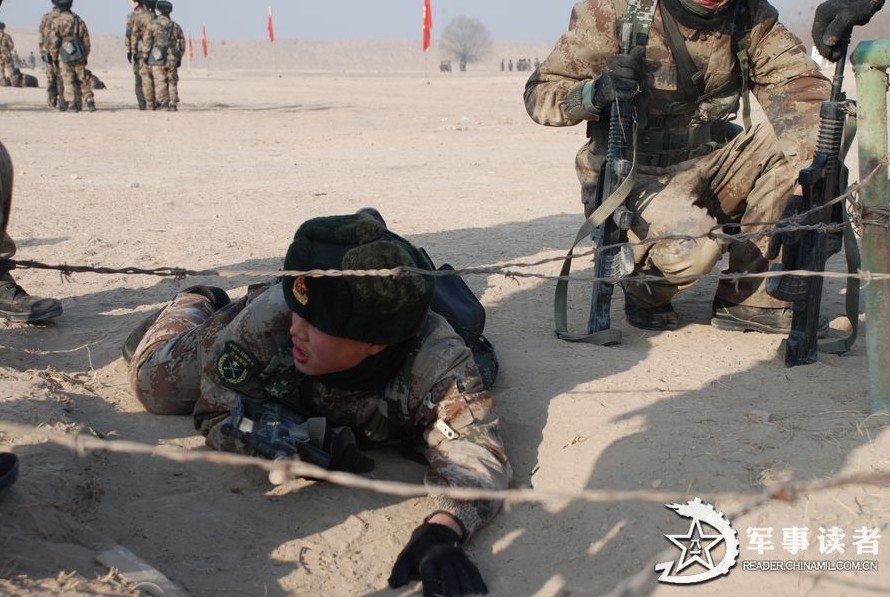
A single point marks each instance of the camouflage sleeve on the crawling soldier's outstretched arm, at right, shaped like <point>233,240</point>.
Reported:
<point>464,447</point>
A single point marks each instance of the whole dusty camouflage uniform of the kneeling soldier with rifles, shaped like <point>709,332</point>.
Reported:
<point>689,178</point>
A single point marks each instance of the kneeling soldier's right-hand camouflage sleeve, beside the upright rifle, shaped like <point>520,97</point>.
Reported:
<point>788,84</point>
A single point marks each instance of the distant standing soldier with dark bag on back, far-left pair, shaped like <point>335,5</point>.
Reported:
<point>70,49</point>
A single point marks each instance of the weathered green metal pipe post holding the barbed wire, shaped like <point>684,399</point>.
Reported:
<point>871,59</point>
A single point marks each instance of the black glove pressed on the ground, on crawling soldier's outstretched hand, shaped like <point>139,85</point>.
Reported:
<point>434,556</point>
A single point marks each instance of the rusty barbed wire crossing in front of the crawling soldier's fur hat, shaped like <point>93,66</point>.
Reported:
<point>859,217</point>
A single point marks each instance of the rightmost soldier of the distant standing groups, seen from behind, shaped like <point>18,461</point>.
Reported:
<point>164,43</point>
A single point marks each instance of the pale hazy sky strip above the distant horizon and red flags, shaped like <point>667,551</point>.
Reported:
<point>507,20</point>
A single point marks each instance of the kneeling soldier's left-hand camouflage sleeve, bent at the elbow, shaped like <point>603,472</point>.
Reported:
<point>559,92</point>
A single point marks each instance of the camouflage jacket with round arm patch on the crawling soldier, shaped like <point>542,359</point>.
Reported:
<point>436,399</point>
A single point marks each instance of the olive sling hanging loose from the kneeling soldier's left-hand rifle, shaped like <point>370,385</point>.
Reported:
<point>611,336</point>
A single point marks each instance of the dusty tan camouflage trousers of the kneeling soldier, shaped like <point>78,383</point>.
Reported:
<point>747,181</point>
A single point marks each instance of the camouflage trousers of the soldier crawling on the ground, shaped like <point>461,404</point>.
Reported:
<point>166,368</point>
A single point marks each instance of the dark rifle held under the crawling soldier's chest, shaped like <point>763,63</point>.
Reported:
<point>274,431</point>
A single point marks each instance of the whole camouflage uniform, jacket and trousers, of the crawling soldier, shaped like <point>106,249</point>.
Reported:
<point>193,360</point>
